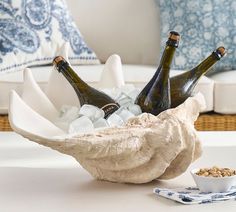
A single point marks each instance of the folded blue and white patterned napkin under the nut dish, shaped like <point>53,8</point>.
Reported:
<point>193,195</point>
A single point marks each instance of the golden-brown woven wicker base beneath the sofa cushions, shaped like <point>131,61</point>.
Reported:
<point>205,122</point>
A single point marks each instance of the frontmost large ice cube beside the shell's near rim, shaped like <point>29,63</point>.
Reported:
<point>81,125</point>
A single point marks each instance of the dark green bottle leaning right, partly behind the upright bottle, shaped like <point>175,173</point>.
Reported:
<point>182,85</point>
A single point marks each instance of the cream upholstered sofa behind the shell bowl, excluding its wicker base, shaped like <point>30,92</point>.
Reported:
<point>129,28</point>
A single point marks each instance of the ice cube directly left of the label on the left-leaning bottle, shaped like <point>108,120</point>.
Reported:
<point>92,112</point>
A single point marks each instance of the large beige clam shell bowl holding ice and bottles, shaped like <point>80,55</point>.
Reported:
<point>145,148</point>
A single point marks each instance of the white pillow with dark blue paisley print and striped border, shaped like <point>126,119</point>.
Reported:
<point>31,32</point>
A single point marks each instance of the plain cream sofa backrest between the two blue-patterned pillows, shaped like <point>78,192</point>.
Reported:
<point>129,28</point>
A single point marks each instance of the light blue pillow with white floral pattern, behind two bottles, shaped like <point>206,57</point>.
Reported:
<point>203,26</point>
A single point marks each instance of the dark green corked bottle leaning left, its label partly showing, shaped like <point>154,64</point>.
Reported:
<point>85,93</point>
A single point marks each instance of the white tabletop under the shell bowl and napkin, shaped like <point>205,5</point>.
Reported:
<point>34,178</point>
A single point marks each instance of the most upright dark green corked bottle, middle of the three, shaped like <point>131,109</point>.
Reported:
<point>155,96</point>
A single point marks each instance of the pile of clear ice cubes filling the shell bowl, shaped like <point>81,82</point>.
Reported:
<point>88,118</point>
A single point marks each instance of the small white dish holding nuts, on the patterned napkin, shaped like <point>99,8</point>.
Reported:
<point>213,184</point>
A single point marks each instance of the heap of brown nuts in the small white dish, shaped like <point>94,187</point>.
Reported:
<point>216,172</point>
